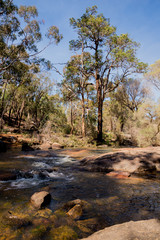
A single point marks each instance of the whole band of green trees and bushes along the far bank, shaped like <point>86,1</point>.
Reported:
<point>95,88</point>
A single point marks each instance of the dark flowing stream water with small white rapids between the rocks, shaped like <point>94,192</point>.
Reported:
<point>113,200</point>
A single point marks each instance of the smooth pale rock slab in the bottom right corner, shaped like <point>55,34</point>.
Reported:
<point>140,230</point>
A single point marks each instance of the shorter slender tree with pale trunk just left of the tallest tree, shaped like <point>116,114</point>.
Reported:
<point>76,80</point>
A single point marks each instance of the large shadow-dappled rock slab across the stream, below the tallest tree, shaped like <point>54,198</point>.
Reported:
<point>144,162</point>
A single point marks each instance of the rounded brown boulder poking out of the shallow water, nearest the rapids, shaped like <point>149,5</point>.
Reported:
<point>40,199</point>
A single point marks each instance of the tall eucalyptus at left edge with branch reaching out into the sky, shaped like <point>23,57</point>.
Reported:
<point>19,35</point>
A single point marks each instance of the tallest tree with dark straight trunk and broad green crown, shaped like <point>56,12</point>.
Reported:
<point>114,56</point>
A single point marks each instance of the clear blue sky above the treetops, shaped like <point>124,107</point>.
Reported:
<point>139,18</point>
